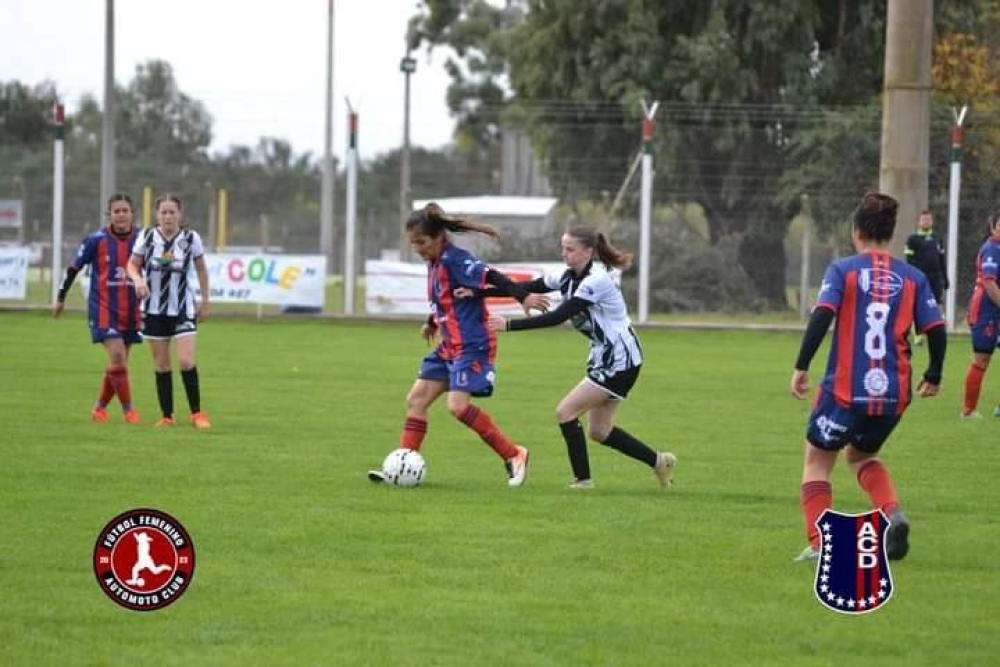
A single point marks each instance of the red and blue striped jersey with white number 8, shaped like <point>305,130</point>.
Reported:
<point>877,299</point>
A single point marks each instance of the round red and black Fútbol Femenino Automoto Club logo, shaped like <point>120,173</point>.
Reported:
<point>144,559</point>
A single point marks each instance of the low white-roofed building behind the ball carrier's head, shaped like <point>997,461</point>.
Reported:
<point>526,217</point>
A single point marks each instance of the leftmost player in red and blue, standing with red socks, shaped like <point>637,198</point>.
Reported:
<point>113,310</point>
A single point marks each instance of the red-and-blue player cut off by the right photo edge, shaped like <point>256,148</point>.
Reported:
<point>983,317</point>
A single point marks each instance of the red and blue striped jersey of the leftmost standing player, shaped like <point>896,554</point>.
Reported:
<point>111,302</point>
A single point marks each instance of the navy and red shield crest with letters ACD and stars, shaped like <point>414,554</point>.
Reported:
<point>852,572</point>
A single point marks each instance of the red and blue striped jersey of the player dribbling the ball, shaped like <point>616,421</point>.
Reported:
<point>462,323</point>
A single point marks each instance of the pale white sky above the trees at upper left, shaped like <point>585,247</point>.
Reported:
<point>259,66</point>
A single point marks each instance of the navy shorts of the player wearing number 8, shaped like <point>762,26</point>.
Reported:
<point>833,427</point>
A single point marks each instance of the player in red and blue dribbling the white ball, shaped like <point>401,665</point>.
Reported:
<point>462,364</point>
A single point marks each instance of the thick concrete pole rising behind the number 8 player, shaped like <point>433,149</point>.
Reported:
<point>906,110</point>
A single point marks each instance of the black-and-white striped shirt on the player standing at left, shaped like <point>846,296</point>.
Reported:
<point>167,264</point>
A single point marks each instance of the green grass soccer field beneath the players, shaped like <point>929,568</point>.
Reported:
<point>301,561</point>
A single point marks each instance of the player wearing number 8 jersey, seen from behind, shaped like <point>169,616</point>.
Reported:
<point>876,299</point>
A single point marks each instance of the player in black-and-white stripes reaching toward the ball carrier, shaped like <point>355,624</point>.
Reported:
<point>593,303</point>
